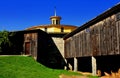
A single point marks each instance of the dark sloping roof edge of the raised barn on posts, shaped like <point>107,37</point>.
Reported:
<point>100,17</point>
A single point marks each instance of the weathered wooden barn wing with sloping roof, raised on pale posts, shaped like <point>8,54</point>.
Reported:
<point>96,44</point>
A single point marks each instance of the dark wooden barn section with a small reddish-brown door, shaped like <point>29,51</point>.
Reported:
<point>40,46</point>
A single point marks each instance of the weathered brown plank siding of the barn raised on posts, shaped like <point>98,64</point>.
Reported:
<point>102,38</point>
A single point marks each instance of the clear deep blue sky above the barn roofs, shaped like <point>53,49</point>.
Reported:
<point>21,14</point>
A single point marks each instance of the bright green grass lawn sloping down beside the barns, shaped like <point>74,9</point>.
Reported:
<point>27,67</point>
